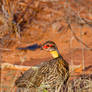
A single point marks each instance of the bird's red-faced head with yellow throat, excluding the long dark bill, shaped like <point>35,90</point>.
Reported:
<point>51,47</point>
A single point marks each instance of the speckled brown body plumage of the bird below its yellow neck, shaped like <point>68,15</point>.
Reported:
<point>49,75</point>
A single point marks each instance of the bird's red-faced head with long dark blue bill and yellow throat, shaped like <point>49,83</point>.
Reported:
<point>48,46</point>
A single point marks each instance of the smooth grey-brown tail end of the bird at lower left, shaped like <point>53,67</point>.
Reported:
<point>27,79</point>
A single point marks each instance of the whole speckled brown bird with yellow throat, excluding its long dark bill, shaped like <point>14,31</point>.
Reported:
<point>50,75</point>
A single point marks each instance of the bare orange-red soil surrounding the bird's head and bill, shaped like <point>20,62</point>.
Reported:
<point>47,25</point>
